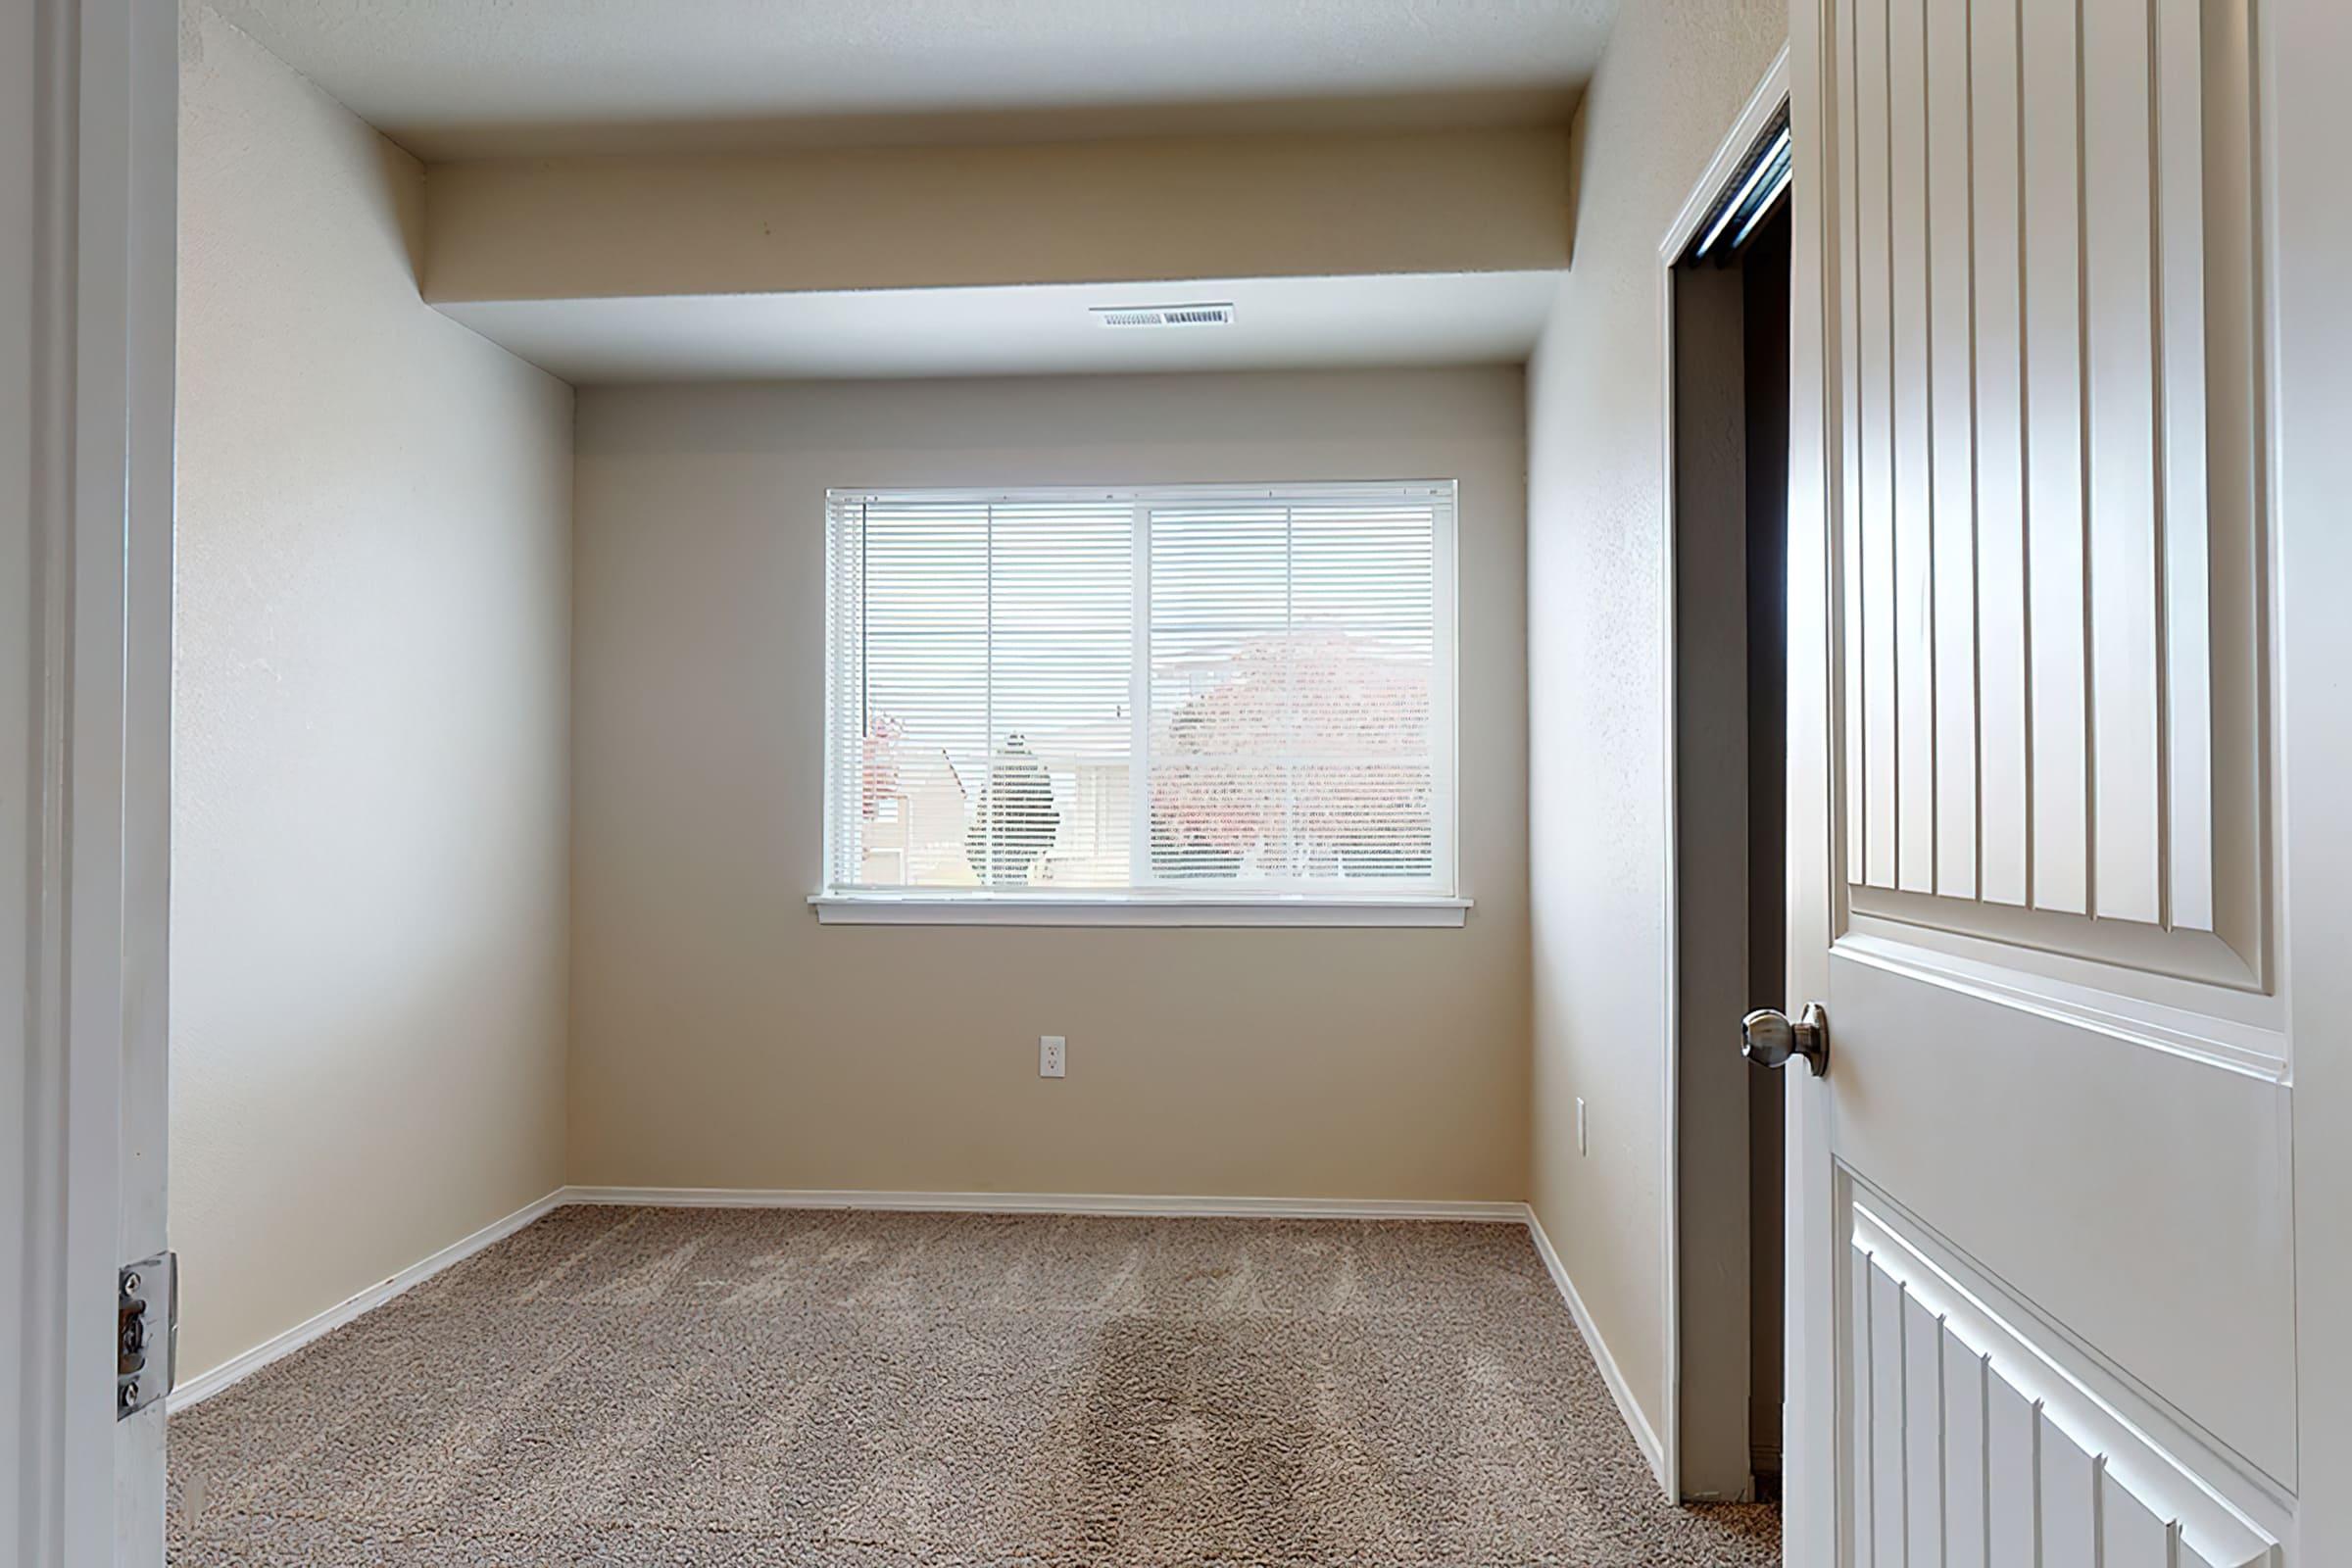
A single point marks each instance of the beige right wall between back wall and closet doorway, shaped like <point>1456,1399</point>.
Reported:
<point>1669,88</point>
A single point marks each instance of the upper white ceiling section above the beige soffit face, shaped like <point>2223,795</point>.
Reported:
<point>476,79</point>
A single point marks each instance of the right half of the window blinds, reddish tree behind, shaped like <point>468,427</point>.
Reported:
<point>1292,674</point>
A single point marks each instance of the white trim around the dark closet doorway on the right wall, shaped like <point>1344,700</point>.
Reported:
<point>1765,102</point>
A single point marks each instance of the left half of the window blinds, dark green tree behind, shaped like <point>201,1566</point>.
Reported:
<point>989,744</point>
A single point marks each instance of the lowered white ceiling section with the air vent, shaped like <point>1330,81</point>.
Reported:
<point>1281,323</point>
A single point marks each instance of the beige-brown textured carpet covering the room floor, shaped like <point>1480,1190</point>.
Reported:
<point>702,1388</point>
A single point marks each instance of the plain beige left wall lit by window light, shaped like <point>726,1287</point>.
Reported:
<point>370,800</point>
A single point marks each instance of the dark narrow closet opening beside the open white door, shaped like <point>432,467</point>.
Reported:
<point>1730,528</point>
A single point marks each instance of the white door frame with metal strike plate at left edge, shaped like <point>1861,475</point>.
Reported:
<point>86,565</point>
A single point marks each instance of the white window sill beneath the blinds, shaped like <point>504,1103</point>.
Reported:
<point>1132,911</point>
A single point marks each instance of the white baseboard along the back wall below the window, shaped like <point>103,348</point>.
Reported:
<point>1050,1202</point>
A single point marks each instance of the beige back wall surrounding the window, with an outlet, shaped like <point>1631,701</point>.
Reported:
<point>723,1038</point>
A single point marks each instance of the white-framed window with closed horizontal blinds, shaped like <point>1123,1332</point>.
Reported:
<point>1147,699</point>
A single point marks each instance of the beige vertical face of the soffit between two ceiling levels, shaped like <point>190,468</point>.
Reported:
<point>1151,210</point>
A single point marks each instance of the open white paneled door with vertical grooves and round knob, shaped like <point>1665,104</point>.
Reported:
<point>2043,1200</point>
